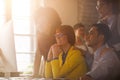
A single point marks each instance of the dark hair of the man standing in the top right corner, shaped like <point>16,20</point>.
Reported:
<point>115,5</point>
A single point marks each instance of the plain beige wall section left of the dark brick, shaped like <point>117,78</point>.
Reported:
<point>67,9</point>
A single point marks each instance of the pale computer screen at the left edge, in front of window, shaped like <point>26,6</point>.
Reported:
<point>7,46</point>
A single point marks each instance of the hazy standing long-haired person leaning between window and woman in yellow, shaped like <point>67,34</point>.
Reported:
<point>46,21</point>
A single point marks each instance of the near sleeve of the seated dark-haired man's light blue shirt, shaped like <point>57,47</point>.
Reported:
<point>102,68</point>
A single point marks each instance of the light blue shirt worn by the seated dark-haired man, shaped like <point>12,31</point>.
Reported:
<point>106,66</point>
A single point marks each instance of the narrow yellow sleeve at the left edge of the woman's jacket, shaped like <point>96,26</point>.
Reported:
<point>48,70</point>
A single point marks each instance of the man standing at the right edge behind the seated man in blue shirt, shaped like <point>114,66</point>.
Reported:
<point>109,14</point>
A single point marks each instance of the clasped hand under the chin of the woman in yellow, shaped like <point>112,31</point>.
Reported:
<point>56,50</point>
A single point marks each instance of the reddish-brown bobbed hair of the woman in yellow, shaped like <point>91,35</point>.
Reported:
<point>68,30</point>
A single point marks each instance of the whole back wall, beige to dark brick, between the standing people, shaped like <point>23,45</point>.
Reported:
<point>74,11</point>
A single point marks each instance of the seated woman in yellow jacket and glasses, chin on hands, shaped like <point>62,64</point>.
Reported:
<point>64,59</point>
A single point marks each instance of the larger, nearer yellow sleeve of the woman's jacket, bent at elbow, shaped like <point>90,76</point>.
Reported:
<point>72,61</point>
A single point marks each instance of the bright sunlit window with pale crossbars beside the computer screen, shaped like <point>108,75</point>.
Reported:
<point>24,33</point>
